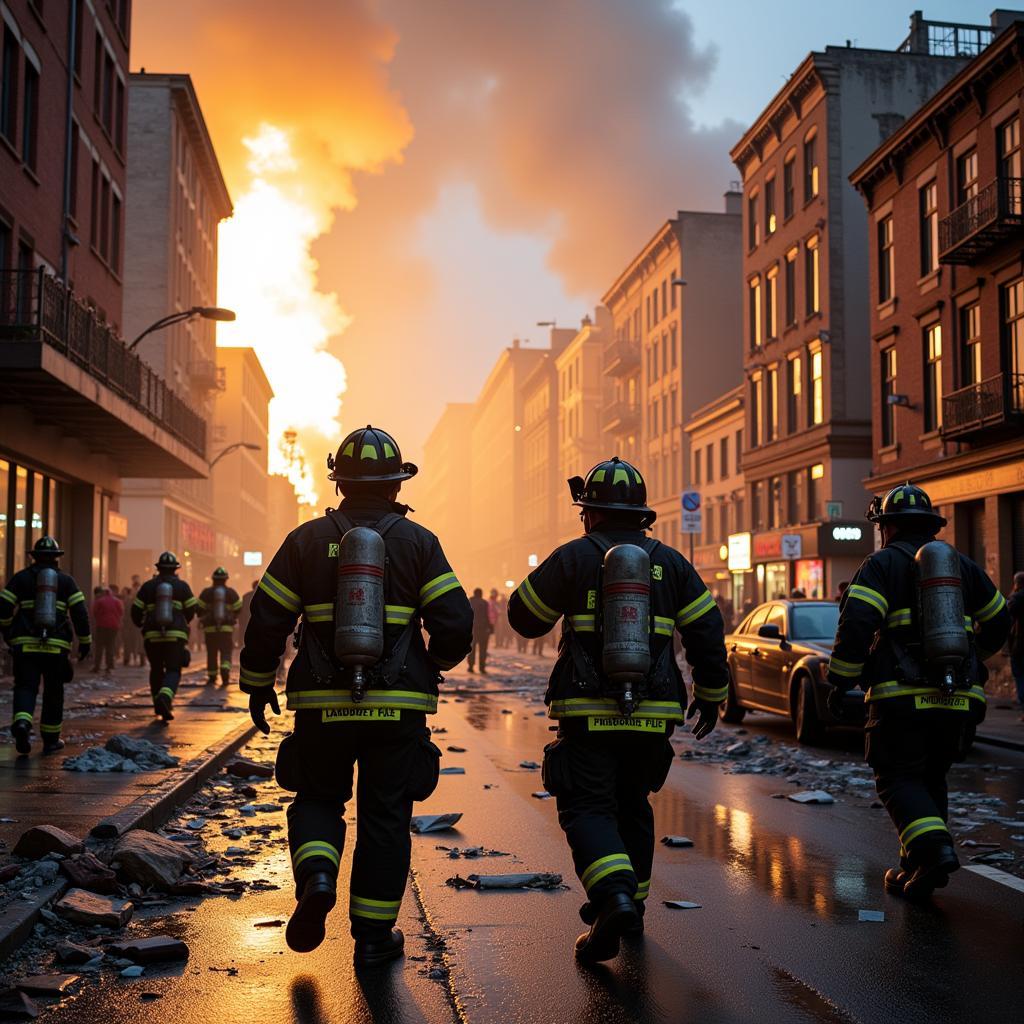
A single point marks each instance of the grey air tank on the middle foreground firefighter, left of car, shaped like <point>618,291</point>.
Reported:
<point>626,621</point>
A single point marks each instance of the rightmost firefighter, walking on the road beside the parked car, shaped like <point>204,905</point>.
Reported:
<point>916,729</point>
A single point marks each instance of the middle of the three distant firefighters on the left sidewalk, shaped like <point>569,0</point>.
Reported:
<point>162,610</point>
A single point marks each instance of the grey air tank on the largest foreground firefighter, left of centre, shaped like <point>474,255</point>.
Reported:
<point>359,608</point>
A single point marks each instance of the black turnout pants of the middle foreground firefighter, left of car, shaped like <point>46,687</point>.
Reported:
<point>602,782</point>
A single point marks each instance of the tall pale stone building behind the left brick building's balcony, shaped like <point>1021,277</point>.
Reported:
<point>177,199</point>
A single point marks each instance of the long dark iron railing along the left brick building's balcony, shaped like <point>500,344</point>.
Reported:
<point>36,307</point>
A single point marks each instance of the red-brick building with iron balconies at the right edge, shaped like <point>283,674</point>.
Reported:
<point>946,229</point>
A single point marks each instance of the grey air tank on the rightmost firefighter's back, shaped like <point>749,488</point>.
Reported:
<point>945,644</point>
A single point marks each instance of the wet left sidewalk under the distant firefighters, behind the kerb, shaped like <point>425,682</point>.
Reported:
<point>36,790</point>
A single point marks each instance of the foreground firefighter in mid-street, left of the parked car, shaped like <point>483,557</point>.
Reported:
<point>611,755</point>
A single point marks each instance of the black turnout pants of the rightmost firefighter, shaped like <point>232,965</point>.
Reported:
<point>911,753</point>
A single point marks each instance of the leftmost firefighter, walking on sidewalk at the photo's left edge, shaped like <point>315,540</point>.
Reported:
<point>38,609</point>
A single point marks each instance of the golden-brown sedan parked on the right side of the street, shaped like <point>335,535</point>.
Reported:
<point>779,662</point>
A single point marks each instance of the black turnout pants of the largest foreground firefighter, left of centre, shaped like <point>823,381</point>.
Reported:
<point>398,765</point>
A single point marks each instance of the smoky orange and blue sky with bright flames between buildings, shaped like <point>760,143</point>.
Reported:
<point>417,184</point>
